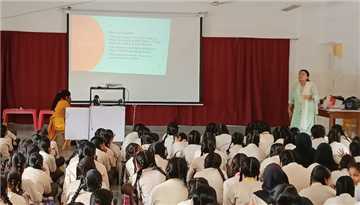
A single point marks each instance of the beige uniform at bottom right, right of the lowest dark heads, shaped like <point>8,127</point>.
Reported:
<point>318,193</point>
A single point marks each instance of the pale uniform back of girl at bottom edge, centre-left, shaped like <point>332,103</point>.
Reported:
<point>170,192</point>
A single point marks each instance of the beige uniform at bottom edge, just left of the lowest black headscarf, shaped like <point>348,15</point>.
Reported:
<point>240,193</point>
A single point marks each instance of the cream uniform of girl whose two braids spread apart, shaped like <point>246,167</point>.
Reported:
<point>148,180</point>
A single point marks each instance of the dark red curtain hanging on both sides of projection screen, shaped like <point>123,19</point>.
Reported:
<point>243,80</point>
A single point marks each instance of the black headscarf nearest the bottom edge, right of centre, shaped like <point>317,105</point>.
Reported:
<point>273,176</point>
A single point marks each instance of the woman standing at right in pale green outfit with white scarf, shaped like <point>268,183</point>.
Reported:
<point>303,102</point>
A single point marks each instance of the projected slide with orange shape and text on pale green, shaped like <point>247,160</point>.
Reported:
<point>119,44</point>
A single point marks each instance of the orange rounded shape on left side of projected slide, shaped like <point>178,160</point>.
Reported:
<point>87,43</point>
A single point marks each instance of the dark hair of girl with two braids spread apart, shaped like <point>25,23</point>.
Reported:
<point>144,159</point>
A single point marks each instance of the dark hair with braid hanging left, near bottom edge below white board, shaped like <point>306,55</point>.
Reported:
<point>90,183</point>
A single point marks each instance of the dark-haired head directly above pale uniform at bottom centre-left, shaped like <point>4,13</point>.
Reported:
<point>177,169</point>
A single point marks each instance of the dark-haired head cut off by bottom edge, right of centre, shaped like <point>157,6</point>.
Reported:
<point>205,195</point>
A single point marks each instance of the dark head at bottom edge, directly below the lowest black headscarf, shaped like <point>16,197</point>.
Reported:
<point>283,194</point>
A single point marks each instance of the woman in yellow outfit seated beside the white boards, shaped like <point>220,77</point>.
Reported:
<point>57,121</point>
